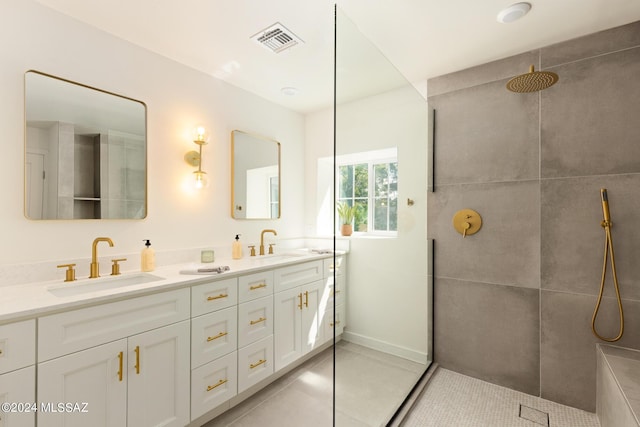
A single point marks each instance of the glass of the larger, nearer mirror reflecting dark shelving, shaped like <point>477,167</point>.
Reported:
<point>85,152</point>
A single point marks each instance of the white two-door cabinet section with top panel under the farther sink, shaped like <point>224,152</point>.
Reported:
<point>298,302</point>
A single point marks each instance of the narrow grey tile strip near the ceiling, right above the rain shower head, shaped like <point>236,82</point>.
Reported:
<point>592,45</point>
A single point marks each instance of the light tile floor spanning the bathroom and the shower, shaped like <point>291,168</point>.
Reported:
<point>371,385</point>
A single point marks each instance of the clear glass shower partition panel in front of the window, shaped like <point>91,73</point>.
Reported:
<point>381,132</point>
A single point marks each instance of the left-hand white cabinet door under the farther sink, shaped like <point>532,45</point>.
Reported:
<point>287,319</point>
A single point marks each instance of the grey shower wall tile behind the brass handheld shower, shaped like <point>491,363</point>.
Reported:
<point>573,240</point>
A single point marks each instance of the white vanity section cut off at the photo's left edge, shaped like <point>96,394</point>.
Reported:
<point>17,372</point>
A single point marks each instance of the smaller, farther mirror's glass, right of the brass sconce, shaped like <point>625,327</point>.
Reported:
<point>255,176</point>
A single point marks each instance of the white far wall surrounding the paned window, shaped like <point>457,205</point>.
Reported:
<point>386,293</point>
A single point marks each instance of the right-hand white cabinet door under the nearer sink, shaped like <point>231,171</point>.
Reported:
<point>159,373</point>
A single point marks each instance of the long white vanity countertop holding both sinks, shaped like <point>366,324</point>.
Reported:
<point>36,299</point>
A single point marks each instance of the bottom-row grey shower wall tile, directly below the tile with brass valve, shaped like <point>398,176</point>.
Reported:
<point>489,332</point>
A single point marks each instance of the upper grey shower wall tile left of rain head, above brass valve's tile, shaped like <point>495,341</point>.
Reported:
<point>485,134</point>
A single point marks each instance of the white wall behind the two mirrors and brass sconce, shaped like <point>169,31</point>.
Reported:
<point>177,99</point>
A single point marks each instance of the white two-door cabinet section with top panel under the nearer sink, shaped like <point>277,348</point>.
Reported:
<point>128,361</point>
